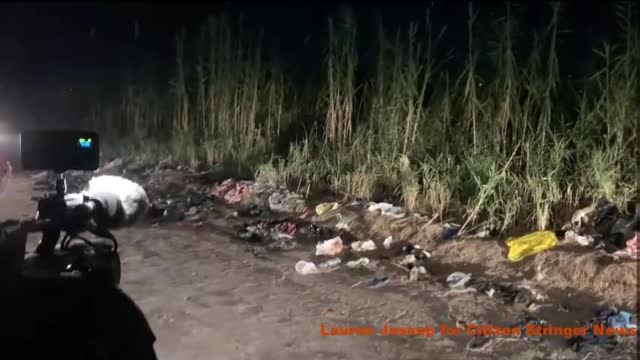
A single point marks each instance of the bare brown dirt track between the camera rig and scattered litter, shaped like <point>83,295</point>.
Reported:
<point>206,297</point>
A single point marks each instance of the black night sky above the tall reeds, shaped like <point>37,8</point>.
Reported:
<point>48,48</point>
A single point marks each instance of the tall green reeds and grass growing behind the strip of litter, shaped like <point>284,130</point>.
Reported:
<point>515,146</point>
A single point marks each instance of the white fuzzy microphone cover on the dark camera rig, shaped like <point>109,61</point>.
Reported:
<point>126,202</point>
